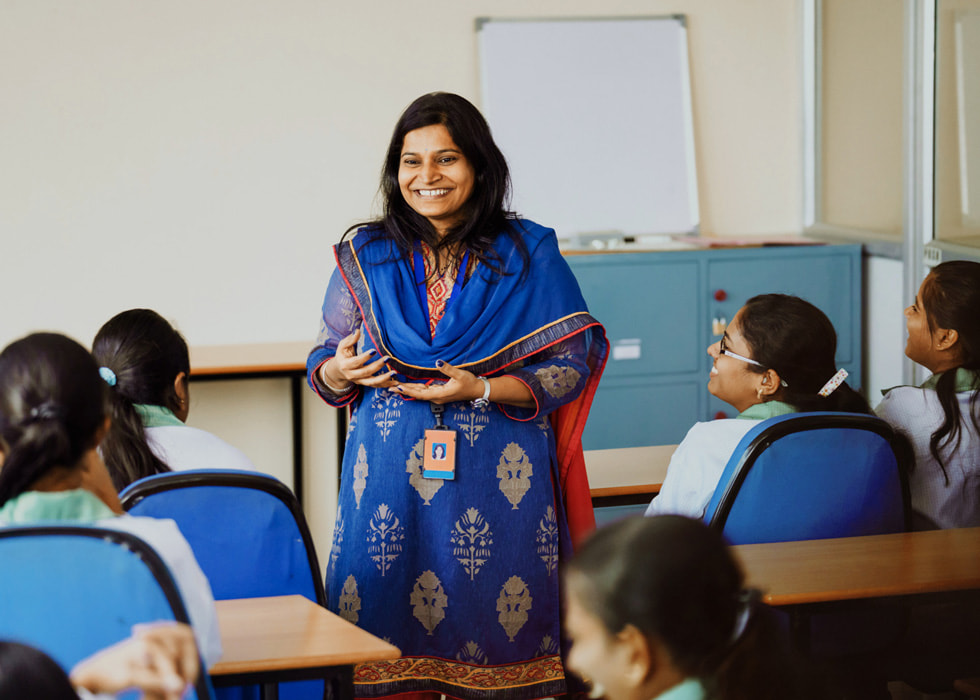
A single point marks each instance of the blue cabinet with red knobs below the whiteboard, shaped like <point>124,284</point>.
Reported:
<point>658,308</point>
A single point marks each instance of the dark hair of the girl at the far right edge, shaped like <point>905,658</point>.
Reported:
<point>951,300</point>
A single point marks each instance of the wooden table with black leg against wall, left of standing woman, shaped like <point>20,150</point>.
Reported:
<point>261,361</point>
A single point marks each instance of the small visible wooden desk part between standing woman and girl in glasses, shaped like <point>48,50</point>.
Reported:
<point>633,472</point>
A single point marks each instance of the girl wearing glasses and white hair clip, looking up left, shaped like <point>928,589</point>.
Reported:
<point>775,357</point>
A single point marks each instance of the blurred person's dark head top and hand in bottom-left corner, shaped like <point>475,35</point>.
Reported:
<point>159,659</point>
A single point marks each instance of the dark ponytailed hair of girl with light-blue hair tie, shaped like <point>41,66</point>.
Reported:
<point>146,354</point>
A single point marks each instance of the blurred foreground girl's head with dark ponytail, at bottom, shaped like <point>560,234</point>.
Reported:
<point>657,610</point>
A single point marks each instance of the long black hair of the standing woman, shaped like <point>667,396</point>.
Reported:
<point>485,213</point>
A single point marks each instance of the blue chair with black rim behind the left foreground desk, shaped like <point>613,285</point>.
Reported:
<point>249,535</point>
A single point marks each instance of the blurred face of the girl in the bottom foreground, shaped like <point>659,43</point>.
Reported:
<point>597,655</point>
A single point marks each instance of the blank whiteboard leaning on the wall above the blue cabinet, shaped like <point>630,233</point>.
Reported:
<point>594,118</point>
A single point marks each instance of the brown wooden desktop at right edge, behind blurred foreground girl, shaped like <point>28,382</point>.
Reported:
<point>856,568</point>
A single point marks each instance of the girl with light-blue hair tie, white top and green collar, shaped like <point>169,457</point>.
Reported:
<point>145,361</point>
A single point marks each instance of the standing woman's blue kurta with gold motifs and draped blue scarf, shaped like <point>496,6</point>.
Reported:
<point>462,575</point>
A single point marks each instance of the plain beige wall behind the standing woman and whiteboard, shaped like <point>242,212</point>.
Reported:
<point>199,157</point>
